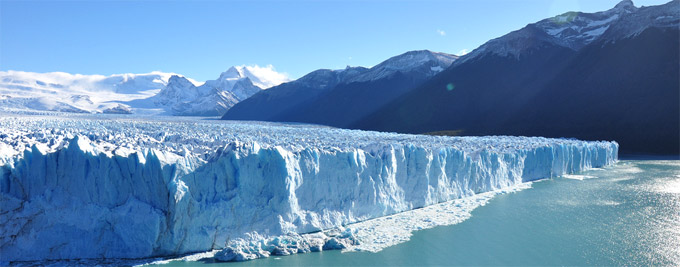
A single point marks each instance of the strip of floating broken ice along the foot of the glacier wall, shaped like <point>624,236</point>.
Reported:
<point>372,235</point>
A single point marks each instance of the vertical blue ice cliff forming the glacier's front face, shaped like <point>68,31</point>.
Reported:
<point>78,201</point>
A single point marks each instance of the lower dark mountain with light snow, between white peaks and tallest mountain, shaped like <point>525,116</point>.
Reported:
<point>337,97</point>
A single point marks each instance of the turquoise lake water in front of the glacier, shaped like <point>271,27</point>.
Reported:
<point>628,214</point>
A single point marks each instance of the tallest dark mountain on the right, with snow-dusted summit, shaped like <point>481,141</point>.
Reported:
<point>610,75</point>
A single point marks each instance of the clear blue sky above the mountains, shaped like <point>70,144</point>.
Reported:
<point>202,39</point>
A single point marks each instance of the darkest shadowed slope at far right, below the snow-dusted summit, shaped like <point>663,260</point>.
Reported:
<point>628,91</point>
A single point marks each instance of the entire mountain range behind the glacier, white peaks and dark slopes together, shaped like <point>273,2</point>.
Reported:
<point>610,75</point>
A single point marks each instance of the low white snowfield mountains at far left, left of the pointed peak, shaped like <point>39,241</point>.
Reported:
<point>58,91</point>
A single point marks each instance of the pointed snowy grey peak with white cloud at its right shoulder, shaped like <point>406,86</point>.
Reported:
<point>214,97</point>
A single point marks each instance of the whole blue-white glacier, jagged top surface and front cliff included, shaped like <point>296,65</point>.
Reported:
<point>107,186</point>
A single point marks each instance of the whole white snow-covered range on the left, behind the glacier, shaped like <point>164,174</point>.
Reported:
<point>155,93</point>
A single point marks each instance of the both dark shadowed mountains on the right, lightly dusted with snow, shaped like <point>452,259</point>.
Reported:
<point>610,75</point>
